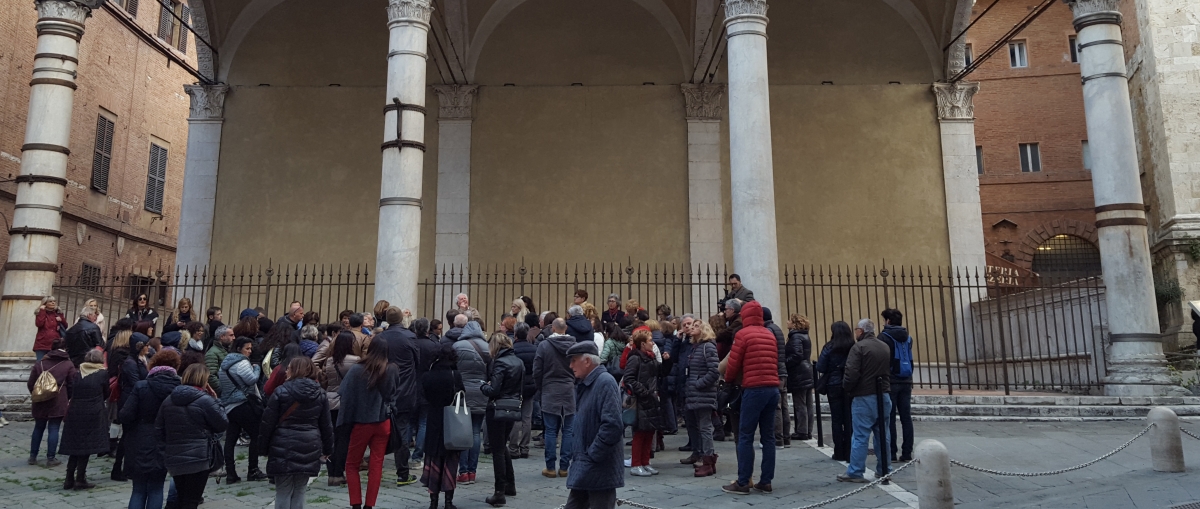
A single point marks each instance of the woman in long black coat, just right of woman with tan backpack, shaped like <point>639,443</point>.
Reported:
<point>86,427</point>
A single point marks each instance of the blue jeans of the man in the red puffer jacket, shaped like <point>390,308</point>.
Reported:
<point>759,406</point>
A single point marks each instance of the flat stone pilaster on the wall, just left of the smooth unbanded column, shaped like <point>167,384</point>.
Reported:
<point>706,215</point>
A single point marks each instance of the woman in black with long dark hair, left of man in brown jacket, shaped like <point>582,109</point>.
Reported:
<point>832,366</point>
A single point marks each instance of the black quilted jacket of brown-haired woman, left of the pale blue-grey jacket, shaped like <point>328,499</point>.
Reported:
<point>187,423</point>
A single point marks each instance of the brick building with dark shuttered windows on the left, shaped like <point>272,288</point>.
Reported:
<point>129,134</point>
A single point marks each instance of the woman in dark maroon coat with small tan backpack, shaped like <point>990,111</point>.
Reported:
<point>51,394</point>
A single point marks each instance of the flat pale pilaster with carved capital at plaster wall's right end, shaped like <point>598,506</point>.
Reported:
<point>964,218</point>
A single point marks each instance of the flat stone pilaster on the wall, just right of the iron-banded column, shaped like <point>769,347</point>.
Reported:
<point>455,113</point>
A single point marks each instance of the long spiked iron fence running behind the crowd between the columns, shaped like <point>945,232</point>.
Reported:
<point>981,331</point>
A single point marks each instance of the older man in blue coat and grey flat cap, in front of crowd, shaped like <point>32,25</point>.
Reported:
<point>598,468</point>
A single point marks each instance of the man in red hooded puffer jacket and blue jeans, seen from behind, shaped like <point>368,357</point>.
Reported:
<point>755,360</point>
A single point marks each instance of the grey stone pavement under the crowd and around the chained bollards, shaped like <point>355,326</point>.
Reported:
<point>805,476</point>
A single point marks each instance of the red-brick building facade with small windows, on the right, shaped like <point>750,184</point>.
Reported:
<point>1041,104</point>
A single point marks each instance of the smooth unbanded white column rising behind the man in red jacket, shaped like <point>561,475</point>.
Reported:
<point>752,181</point>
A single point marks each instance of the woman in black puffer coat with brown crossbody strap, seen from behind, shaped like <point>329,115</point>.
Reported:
<point>298,433</point>
